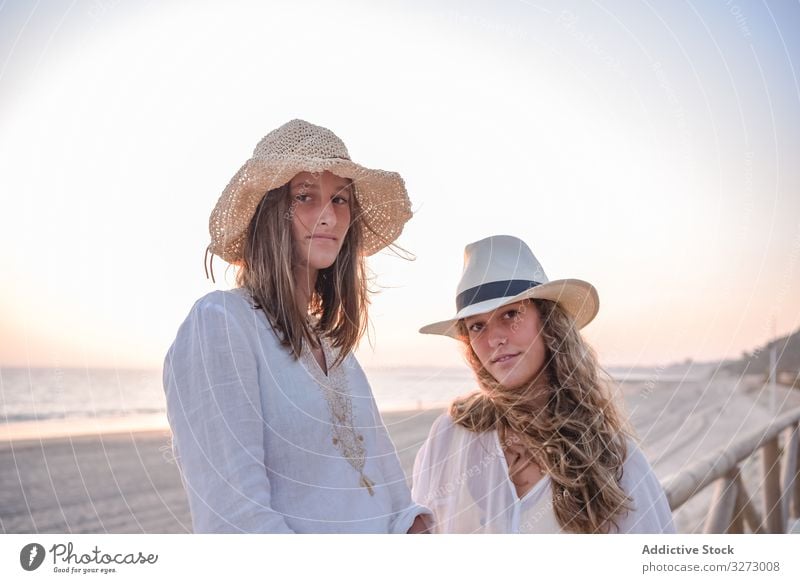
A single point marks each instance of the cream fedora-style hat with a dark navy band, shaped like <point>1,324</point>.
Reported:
<point>501,270</point>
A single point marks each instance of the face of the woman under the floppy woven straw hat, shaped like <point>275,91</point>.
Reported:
<point>320,215</point>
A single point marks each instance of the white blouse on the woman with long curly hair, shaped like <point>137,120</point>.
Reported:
<point>462,476</point>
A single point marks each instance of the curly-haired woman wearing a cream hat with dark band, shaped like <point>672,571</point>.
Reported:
<point>541,446</point>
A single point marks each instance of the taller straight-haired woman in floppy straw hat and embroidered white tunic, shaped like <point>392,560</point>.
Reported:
<point>275,428</point>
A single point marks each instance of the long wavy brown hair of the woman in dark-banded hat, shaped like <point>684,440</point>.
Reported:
<point>578,438</point>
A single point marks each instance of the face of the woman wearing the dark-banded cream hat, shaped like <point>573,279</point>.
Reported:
<point>509,343</point>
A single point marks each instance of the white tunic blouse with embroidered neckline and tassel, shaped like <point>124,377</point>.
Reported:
<point>270,444</point>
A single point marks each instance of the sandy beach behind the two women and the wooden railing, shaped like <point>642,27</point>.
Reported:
<point>127,482</point>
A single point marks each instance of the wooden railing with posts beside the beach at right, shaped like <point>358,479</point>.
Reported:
<point>732,508</point>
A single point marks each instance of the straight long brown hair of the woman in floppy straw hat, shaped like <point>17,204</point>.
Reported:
<point>340,298</point>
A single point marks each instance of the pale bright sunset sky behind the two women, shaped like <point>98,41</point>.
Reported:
<point>647,147</point>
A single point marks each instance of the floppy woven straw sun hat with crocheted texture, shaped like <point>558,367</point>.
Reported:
<point>298,146</point>
